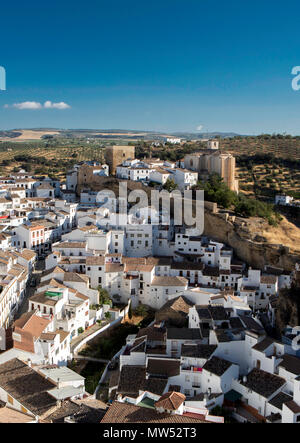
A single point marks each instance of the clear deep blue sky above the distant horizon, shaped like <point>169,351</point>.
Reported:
<point>167,65</point>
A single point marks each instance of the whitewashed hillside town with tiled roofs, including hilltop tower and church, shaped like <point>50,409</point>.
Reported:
<point>70,271</point>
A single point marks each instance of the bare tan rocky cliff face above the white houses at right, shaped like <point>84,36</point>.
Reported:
<point>244,236</point>
